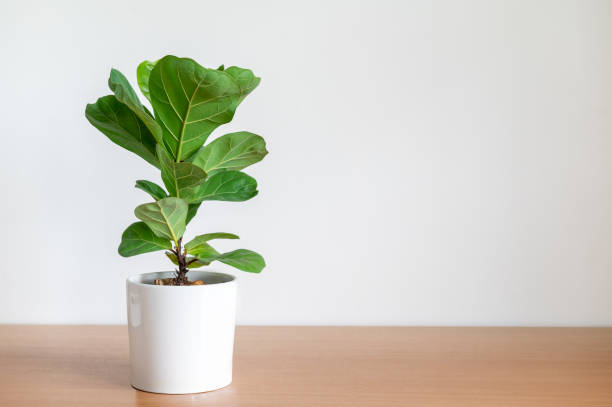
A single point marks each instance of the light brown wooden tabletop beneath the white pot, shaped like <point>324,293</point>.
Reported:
<point>325,366</point>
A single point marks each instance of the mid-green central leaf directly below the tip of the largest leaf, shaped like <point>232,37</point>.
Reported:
<point>183,180</point>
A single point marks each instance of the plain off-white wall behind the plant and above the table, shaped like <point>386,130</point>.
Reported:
<point>431,162</point>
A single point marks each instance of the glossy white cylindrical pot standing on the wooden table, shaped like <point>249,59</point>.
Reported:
<point>181,337</point>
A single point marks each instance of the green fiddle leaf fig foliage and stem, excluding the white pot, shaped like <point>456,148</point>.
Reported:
<point>188,103</point>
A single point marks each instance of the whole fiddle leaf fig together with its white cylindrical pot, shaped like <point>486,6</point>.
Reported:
<point>181,323</point>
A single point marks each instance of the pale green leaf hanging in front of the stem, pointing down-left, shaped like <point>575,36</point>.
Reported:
<point>166,217</point>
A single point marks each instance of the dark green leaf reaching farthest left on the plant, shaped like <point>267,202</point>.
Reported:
<point>122,127</point>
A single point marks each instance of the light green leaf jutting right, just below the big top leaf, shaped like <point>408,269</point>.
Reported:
<point>233,151</point>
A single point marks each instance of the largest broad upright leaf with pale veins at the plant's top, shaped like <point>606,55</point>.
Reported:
<point>190,101</point>
